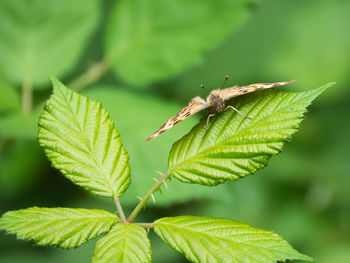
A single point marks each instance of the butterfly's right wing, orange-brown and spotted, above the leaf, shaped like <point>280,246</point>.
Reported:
<point>235,91</point>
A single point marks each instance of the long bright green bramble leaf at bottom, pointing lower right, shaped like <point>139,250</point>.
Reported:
<point>209,239</point>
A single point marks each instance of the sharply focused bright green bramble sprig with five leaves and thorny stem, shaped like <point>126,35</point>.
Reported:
<point>81,141</point>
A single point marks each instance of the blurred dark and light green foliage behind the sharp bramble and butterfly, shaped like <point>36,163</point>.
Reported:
<point>145,60</point>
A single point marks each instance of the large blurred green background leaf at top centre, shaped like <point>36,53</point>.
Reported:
<point>149,41</point>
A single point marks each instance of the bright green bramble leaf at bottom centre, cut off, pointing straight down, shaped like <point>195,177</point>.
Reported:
<point>125,243</point>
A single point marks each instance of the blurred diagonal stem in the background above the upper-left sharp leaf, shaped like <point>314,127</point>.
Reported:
<point>94,73</point>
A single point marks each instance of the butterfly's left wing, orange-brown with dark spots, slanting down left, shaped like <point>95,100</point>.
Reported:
<point>195,105</point>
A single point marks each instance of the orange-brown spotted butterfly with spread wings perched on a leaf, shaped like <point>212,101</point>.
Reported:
<point>215,102</point>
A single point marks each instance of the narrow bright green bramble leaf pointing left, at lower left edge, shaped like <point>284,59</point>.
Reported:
<point>63,227</point>
